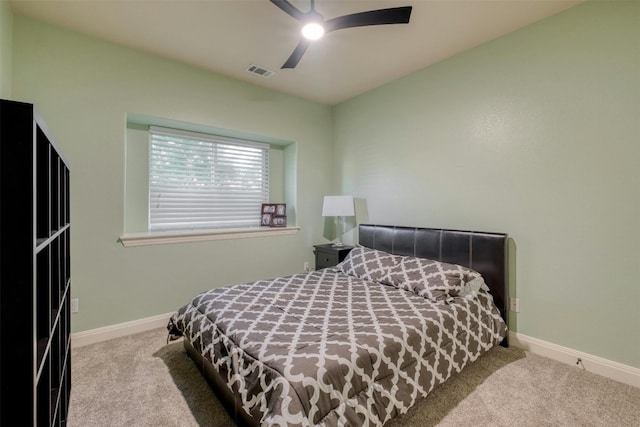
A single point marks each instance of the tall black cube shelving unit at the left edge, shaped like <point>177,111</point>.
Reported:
<point>35,273</point>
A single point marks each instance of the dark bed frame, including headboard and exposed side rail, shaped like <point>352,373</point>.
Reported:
<point>485,253</point>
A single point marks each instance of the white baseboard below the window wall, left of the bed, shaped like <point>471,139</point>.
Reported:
<point>93,336</point>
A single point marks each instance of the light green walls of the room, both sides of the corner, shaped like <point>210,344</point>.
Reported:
<point>535,134</point>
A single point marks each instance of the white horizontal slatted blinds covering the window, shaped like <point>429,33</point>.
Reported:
<point>199,181</point>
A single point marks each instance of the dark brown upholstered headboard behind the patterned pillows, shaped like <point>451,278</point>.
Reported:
<point>485,253</point>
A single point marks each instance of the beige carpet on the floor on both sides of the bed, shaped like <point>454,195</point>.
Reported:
<point>140,381</point>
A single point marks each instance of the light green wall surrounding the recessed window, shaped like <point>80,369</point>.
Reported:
<point>84,89</point>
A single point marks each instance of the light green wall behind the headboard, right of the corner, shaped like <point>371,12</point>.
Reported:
<point>536,134</point>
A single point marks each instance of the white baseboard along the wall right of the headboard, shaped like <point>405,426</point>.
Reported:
<point>607,368</point>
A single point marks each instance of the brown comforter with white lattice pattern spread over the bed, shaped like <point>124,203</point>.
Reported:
<point>326,348</point>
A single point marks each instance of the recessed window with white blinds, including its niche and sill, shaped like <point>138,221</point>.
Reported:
<point>184,222</point>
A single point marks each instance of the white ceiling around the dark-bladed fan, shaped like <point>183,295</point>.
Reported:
<point>226,36</point>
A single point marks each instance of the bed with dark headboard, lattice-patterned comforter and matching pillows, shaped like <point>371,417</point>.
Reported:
<point>356,344</point>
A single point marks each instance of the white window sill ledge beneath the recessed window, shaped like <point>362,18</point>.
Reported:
<point>167,237</point>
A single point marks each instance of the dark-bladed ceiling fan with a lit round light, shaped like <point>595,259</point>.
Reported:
<point>315,26</point>
